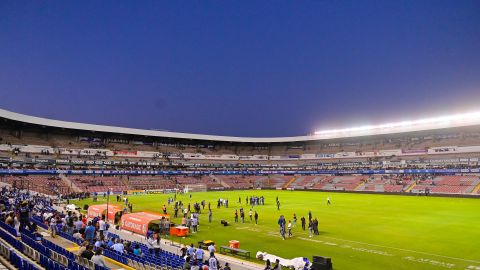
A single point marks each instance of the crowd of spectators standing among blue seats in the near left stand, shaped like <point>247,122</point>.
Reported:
<point>18,207</point>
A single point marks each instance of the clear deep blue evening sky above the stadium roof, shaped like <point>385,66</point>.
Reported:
<point>246,68</point>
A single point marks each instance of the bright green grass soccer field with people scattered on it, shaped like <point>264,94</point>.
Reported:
<point>358,231</point>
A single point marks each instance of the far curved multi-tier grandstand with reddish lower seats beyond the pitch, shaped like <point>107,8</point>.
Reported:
<point>146,160</point>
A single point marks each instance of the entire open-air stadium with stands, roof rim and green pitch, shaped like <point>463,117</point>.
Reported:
<point>399,195</point>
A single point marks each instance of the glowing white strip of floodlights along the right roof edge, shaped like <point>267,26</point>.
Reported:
<point>455,120</point>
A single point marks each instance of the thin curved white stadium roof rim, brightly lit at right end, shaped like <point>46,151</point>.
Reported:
<point>459,120</point>
